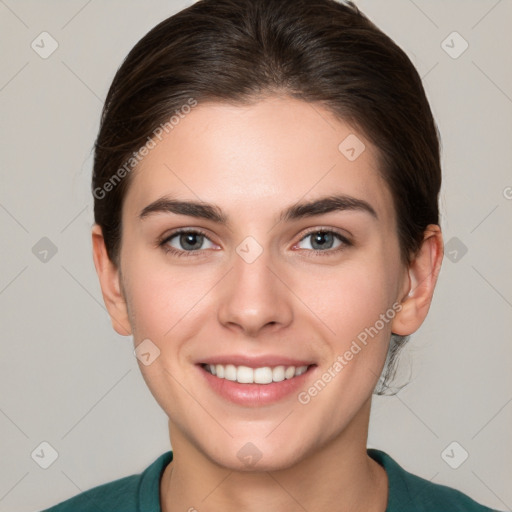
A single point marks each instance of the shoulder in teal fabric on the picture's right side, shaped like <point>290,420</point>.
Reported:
<point>410,492</point>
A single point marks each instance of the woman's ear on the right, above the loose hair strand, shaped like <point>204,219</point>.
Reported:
<point>422,272</point>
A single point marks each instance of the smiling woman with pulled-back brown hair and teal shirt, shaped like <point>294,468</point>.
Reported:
<point>266,184</point>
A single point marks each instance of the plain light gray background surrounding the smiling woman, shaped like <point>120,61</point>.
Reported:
<point>68,379</point>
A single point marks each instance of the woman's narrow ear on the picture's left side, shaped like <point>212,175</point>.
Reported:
<point>109,277</point>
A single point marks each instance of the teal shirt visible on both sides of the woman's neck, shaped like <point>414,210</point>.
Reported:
<point>141,493</point>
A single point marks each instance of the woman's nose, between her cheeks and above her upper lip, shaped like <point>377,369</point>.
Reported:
<point>254,296</point>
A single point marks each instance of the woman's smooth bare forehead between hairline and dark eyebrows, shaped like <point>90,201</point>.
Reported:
<point>259,157</point>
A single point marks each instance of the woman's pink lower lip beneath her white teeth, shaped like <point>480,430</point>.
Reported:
<point>254,395</point>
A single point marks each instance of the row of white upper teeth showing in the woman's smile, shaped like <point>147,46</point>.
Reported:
<point>263,375</point>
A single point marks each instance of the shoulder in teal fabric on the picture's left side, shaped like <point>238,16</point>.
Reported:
<point>129,494</point>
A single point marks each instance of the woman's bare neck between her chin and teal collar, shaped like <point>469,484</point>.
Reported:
<point>337,476</point>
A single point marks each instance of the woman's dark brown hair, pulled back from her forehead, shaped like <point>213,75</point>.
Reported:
<point>237,51</point>
